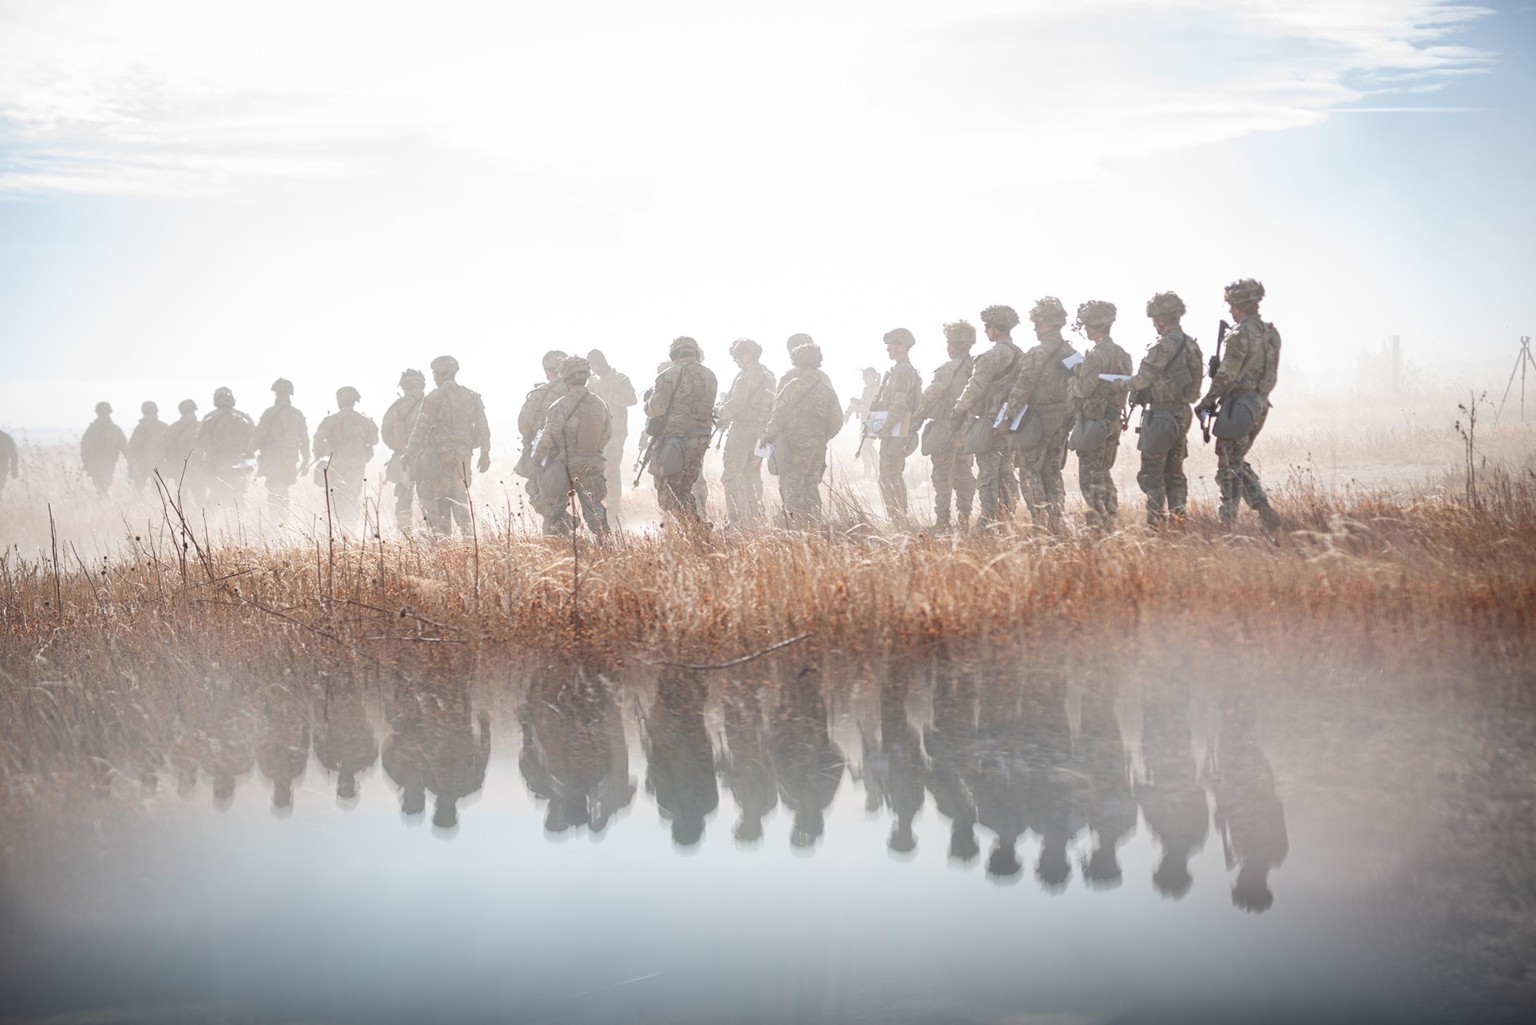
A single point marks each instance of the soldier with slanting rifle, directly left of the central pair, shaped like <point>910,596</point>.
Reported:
<point>683,403</point>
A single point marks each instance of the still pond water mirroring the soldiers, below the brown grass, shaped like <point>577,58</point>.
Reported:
<point>918,841</point>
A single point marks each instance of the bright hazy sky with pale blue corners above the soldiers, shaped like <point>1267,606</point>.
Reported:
<point>196,194</point>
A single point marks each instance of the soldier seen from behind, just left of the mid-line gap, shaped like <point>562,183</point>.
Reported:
<point>806,417</point>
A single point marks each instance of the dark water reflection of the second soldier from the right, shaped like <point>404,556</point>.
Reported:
<point>1171,797</point>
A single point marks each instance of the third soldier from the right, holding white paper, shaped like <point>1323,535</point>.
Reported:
<point>1099,397</point>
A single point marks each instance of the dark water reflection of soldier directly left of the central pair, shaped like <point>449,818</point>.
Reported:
<point>680,758</point>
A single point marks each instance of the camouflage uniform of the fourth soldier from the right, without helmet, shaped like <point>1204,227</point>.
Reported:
<point>1042,385</point>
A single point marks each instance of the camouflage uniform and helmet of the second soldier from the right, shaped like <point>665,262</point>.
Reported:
<point>1168,382</point>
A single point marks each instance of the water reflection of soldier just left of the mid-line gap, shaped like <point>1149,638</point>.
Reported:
<point>809,765</point>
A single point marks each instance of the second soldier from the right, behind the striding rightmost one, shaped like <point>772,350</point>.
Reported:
<point>1167,383</point>
